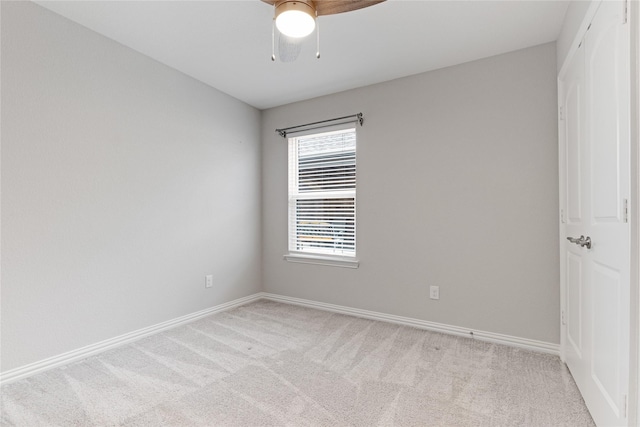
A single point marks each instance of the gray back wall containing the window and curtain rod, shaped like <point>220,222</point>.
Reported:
<point>457,187</point>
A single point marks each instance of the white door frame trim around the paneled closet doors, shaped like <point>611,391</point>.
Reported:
<point>633,410</point>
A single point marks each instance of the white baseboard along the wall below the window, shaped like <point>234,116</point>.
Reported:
<point>525,343</point>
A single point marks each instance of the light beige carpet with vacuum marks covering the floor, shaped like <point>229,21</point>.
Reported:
<point>272,364</point>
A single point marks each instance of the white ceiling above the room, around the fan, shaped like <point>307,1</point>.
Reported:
<point>227,44</point>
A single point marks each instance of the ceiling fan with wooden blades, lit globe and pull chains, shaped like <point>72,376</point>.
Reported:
<point>296,19</point>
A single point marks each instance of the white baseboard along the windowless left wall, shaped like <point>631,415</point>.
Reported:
<point>90,350</point>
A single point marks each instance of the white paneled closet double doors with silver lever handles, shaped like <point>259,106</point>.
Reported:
<point>595,194</point>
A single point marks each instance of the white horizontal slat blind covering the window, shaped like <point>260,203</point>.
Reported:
<point>322,193</point>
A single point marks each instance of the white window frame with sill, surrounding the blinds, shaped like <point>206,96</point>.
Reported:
<point>319,256</point>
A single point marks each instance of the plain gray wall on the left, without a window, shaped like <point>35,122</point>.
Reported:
<point>124,182</point>
